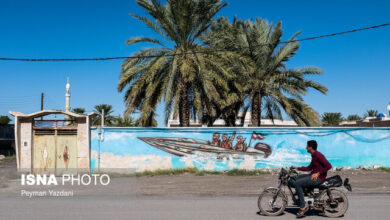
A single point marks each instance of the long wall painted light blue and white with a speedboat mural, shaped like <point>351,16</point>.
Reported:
<point>229,148</point>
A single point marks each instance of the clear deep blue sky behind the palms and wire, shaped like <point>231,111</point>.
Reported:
<point>356,65</point>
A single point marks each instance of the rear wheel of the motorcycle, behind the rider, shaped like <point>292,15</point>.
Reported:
<point>336,207</point>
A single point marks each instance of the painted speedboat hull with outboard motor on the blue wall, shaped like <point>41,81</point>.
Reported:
<point>188,146</point>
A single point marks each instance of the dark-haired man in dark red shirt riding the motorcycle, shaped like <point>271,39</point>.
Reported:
<point>318,168</point>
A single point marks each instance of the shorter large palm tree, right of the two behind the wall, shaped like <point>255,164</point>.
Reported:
<point>271,86</point>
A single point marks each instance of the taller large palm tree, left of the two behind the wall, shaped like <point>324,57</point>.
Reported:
<point>175,69</point>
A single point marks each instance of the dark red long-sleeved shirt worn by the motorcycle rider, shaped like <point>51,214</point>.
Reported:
<point>318,164</point>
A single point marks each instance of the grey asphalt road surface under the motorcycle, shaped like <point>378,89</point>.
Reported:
<point>187,207</point>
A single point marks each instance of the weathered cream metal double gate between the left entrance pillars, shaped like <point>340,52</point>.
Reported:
<point>54,147</point>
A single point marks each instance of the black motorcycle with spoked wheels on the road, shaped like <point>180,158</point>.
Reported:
<point>326,197</point>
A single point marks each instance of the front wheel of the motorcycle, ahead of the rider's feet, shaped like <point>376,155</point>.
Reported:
<point>269,207</point>
